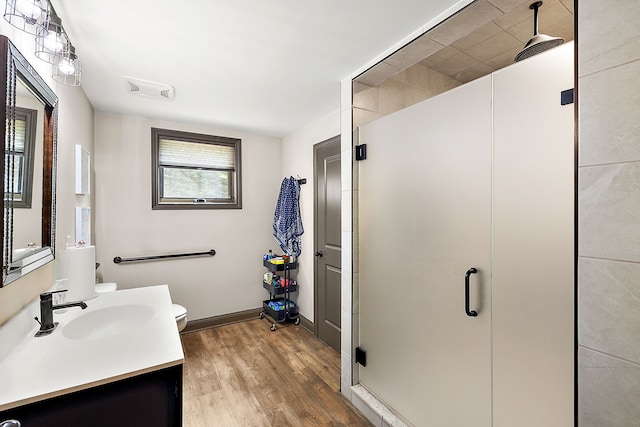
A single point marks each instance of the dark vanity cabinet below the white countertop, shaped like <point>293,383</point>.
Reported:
<point>151,399</point>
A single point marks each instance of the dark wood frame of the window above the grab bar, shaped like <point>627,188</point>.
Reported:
<point>235,202</point>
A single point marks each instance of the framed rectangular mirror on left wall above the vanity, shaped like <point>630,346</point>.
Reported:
<point>28,205</point>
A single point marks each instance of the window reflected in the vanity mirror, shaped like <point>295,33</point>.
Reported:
<point>19,160</point>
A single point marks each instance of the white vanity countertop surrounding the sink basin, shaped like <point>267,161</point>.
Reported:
<point>49,366</point>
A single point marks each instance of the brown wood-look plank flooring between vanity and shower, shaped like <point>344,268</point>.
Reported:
<point>245,375</point>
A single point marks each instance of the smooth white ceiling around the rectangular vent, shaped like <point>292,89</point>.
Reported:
<point>264,67</point>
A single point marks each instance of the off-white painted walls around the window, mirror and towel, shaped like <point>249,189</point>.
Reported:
<point>227,283</point>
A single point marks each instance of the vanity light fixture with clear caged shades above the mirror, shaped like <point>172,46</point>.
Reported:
<point>38,17</point>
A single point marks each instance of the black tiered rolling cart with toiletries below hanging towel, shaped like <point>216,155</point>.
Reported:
<point>279,307</point>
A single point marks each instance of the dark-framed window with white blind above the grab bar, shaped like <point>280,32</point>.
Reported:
<point>194,171</point>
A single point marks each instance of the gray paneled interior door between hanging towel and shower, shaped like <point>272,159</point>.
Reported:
<point>328,192</point>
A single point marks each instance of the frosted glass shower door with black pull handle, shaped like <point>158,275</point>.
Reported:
<point>424,220</point>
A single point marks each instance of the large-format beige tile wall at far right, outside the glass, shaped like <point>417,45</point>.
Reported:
<point>609,213</point>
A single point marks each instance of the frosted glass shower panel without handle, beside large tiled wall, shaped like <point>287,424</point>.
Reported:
<point>533,283</point>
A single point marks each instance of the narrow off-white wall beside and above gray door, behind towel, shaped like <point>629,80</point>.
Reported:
<point>297,157</point>
